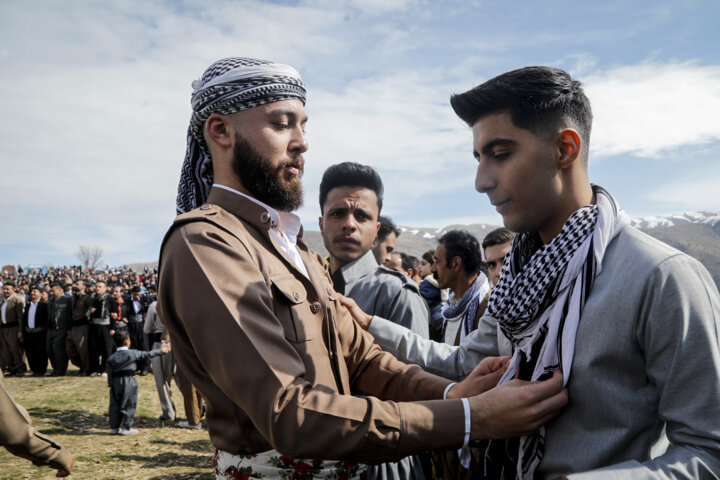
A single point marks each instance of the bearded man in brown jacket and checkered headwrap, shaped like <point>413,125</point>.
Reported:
<point>257,327</point>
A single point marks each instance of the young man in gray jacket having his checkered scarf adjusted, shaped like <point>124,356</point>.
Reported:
<point>631,322</point>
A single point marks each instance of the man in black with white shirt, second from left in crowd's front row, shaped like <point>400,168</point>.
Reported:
<point>35,324</point>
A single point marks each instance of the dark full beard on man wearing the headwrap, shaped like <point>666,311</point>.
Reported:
<point>265,181</point>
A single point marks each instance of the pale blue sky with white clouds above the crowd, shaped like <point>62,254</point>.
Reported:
<point>95,104</point>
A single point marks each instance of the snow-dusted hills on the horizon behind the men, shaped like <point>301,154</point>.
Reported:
<point>697,234</point>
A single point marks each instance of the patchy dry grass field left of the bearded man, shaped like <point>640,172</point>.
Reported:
<point>73,411</point>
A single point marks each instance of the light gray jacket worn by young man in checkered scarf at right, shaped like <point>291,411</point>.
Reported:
<point>647,356</point>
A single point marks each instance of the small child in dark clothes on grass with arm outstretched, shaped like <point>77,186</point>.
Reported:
<point>121,368</point>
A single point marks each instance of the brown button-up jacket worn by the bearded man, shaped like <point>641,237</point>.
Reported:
<point>277,356</point>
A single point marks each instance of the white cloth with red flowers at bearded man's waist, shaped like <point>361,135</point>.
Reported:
<point>271,465</point>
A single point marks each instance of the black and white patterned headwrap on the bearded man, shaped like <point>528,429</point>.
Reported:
<point>228,86</point>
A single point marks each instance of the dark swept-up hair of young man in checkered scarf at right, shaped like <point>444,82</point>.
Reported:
<point>537,98</point>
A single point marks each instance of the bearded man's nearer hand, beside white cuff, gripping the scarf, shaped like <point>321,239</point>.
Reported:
<point>516,408</point>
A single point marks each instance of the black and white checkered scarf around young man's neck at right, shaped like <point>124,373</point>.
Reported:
<point>539,299</point>
